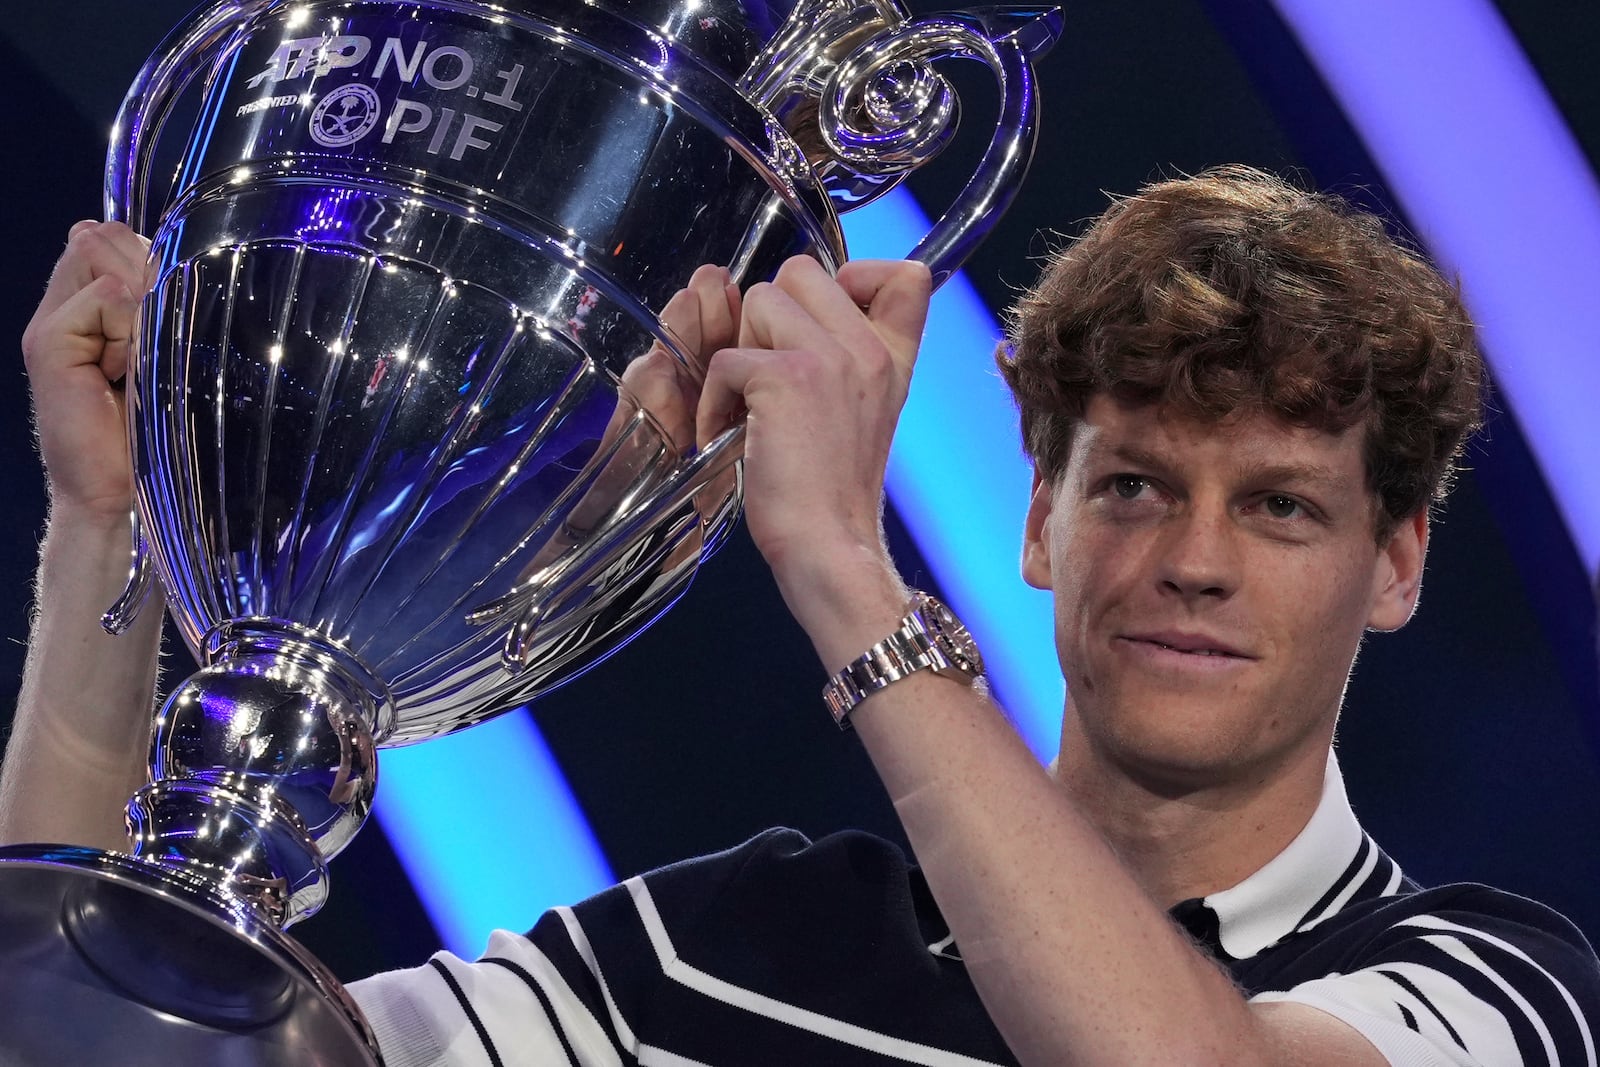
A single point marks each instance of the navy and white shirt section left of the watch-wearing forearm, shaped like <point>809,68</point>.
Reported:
<point>631,977</point>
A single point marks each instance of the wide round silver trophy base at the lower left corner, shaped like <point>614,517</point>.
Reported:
<point>106,959</point>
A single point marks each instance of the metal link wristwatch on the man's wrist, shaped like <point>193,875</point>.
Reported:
<point>930,637</point>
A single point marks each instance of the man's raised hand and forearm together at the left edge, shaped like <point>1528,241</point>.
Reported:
<point>82,724</point>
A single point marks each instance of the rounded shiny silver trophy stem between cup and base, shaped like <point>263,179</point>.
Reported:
<point>263,767</point>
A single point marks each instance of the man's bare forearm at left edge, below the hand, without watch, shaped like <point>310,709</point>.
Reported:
<point>81,738</point>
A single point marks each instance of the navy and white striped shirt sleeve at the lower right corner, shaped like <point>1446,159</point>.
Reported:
<point>1489,981</point>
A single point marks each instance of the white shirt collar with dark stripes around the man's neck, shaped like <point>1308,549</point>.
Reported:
<point>1316,876</point>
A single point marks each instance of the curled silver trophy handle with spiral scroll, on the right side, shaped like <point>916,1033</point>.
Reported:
<point>910,110</point>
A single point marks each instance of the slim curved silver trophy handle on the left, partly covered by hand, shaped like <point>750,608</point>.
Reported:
<point>134,137</point>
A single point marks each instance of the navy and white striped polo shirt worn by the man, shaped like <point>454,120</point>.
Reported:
<point>791,953</point>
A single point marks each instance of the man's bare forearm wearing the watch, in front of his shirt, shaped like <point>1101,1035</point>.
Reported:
<point>1074,961</point>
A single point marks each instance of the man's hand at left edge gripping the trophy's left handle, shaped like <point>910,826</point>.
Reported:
<point>78,351</point>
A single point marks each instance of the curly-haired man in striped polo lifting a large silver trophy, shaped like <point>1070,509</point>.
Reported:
<point>1241,401</point>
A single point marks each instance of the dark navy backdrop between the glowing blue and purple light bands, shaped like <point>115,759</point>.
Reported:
<point>1470,741</point>
